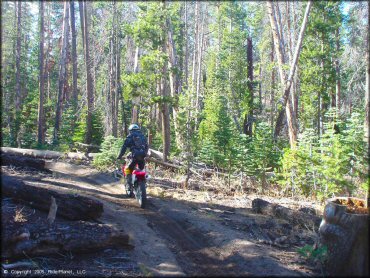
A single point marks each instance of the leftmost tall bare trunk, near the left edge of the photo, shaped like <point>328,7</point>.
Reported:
<point>18,91</point>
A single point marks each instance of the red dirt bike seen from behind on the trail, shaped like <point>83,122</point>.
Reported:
<point>139,178</point>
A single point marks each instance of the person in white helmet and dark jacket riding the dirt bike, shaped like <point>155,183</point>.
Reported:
<point>138,145</point>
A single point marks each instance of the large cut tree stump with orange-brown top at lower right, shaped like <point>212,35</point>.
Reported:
<point>344,231</point>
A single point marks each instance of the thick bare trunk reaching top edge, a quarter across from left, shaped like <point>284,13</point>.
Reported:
<point>89,83</point>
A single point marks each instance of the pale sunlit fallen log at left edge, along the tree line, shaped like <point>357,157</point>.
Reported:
<point>43,154</point>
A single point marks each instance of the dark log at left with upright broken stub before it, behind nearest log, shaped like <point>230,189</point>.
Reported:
<point>70,206</point>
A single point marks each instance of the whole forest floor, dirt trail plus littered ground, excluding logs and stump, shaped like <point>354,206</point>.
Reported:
<point>181,232</point>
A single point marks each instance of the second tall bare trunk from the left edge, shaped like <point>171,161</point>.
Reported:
<point>40,117</point>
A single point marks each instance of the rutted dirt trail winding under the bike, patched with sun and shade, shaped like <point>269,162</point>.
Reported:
<point>175,236</point>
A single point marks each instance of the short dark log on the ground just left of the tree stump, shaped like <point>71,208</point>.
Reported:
<point>294,216</point>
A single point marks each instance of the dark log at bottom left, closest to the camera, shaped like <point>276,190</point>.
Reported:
<point>36,238</point>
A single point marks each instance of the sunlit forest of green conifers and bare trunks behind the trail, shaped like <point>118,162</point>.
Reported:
<point>277,91</point>
